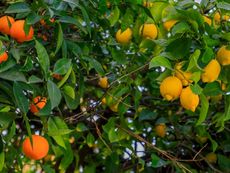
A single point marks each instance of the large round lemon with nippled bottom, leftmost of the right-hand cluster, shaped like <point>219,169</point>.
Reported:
<point>170,88</point>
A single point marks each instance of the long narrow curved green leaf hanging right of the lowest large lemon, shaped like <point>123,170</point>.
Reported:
<point>203,110</point>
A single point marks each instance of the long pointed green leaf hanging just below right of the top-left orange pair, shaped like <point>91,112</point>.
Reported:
<point>43,58</point>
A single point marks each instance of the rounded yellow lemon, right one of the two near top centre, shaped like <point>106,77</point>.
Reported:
<point>148,30</point>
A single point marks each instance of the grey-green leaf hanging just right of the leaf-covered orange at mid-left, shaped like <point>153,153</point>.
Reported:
<point>54,94</point>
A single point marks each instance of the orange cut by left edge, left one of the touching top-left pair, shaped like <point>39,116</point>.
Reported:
<point>6,22</point>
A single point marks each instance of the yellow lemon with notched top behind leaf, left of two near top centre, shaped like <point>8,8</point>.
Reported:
<point>124,37</point>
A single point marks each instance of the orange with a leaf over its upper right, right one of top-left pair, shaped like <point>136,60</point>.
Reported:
<point>17,32</point>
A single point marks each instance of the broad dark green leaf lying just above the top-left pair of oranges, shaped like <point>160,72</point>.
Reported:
<point>20,7</point>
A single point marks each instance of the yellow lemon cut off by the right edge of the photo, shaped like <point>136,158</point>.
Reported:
<point>223,55</point>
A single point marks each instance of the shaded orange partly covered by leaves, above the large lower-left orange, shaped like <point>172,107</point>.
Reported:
<point>38,103</point>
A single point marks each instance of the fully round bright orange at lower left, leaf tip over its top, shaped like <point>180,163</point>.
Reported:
<point>38,149</point>
